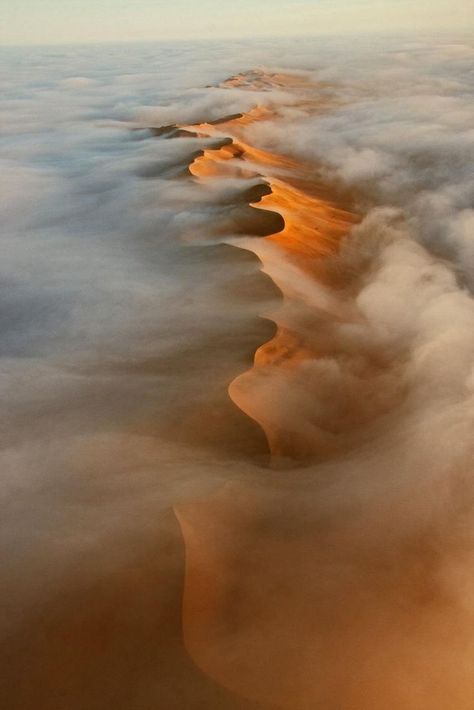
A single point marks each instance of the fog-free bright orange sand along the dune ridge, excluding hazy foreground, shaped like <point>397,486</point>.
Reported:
<point>314,224</point>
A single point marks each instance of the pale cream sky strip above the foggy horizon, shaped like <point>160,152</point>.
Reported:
<point>63,21</point>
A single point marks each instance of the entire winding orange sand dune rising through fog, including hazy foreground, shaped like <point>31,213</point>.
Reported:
<point>289,605</point>
